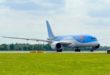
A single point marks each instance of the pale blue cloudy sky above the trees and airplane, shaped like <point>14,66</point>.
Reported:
<point>26,18</point>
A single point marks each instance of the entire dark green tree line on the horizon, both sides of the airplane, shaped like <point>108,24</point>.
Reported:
<point>29,47</point>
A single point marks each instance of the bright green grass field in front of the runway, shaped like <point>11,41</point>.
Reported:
<point>54,64</point>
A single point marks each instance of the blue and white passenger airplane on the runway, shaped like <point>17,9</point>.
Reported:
<point>72,41</point>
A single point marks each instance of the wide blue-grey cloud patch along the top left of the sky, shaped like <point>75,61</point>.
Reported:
<point>39,6</point>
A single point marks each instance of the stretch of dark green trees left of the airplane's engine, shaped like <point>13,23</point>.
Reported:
<point>24,47</point>
